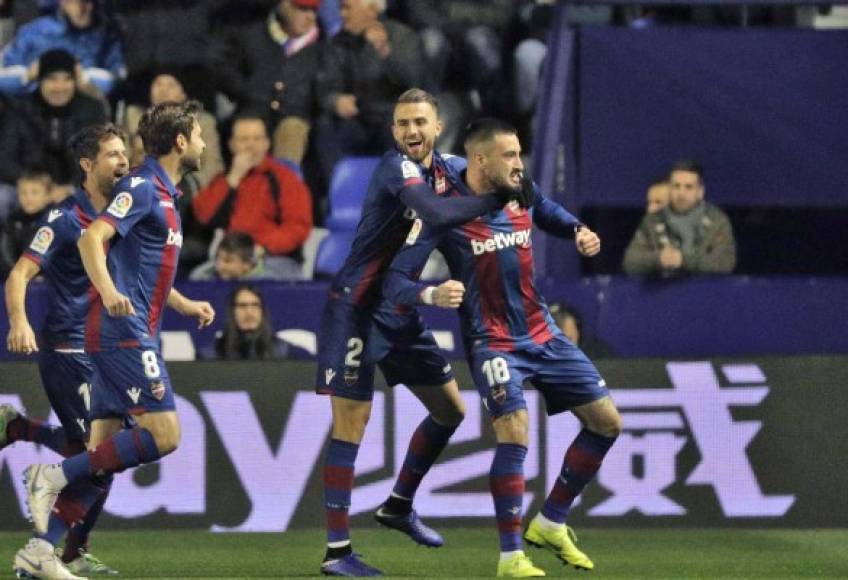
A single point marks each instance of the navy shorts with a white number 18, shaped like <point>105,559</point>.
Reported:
<point>558,369</point>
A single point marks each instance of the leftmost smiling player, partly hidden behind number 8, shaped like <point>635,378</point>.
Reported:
<point>65,369</point>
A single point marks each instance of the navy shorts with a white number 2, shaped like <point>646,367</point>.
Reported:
<point>353,341</point>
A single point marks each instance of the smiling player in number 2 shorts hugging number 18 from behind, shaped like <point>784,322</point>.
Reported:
<point>360,331</point>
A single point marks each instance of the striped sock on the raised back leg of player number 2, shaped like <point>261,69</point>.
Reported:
<point>428,441</point>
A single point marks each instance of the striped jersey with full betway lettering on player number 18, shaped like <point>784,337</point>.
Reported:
<point>493,257</point>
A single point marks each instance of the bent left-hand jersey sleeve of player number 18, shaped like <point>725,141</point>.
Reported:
<point>401,285</point>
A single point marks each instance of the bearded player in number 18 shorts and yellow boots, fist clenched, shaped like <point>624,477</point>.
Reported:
<point>510,337</point>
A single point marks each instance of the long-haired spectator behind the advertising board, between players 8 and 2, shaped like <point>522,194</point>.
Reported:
<point>248,334</point>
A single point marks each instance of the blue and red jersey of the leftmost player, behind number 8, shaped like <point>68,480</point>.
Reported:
<point>69,292</point>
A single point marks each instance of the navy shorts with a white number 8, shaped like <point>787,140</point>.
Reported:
<point>130,381</point>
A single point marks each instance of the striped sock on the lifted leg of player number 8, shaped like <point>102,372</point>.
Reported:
<point>123,450</point>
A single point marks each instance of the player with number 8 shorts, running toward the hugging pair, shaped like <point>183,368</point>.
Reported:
<point>134,283</point>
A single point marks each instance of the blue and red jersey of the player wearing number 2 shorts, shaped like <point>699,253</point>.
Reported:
<point>386,220</point>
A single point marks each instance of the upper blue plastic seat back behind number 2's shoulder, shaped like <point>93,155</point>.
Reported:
<point>348,187</point>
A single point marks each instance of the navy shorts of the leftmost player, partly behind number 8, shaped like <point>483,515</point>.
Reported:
<point>66,377</point>
